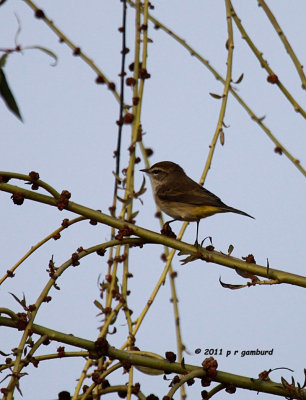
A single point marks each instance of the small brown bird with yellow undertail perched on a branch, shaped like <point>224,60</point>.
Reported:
<point>182,198</point>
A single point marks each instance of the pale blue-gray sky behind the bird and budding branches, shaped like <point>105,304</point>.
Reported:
<point>69,135</point>
